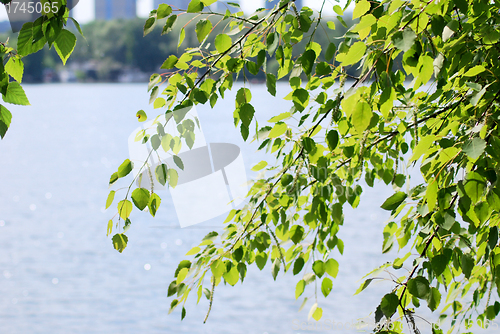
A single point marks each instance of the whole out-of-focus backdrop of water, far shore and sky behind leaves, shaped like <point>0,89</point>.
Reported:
<point>59,272</point>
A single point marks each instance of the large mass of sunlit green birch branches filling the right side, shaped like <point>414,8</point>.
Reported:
<point>439,112</point>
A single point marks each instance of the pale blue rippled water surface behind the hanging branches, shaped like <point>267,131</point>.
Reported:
<point>59,272</point>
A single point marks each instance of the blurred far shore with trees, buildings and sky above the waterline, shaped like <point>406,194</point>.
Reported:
<point>115,50</point>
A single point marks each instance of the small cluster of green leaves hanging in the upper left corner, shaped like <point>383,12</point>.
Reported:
<point>49,30</point>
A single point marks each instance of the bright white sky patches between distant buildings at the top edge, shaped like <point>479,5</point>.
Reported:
<point>84,11</point>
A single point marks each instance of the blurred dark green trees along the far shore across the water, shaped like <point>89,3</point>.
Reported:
<point>115,46</point>
